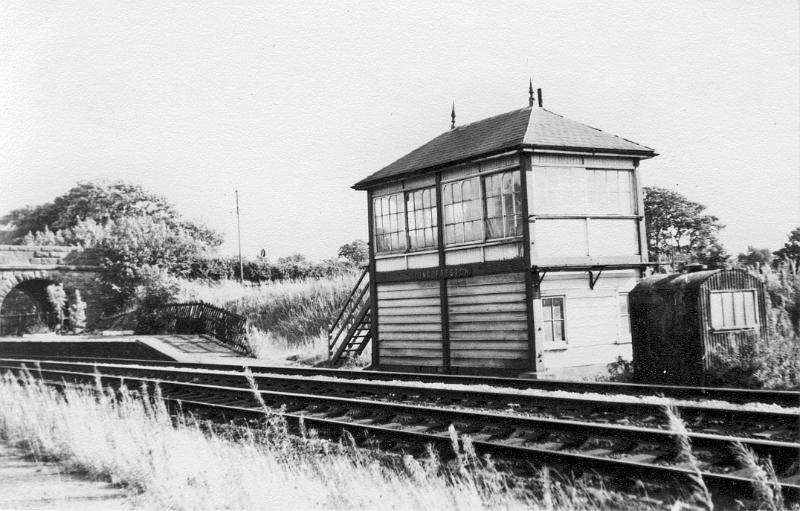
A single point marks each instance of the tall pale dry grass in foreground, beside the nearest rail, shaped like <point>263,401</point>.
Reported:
<point>178,464</point>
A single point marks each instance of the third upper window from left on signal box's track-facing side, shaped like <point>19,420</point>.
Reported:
<point>463,211</point>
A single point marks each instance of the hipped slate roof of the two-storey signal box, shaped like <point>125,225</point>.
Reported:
<point>527,127</point>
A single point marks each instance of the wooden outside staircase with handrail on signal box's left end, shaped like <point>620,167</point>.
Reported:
<point>351,332</point>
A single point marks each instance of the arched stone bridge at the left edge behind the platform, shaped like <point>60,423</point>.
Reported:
<point>26,271</point>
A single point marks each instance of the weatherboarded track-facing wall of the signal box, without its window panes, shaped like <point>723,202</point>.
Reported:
<point>460,308</point>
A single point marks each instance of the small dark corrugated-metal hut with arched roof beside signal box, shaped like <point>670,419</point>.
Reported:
<point>682,322</point>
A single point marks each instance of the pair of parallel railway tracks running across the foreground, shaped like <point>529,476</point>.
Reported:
<point>379,413</point>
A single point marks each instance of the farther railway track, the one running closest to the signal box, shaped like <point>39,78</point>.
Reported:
<point>702,418</point>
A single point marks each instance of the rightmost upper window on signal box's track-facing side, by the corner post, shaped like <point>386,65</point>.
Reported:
<point>503,205</point>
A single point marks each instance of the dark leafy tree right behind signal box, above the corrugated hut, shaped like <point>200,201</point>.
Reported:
<point>679,232</point>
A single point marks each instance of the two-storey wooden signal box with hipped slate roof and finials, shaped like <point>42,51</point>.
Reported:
<point>506,246</point>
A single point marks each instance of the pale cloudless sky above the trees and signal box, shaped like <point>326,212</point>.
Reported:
<point>291,103</point>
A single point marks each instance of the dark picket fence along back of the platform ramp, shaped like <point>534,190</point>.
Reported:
<point>198,318</point>
